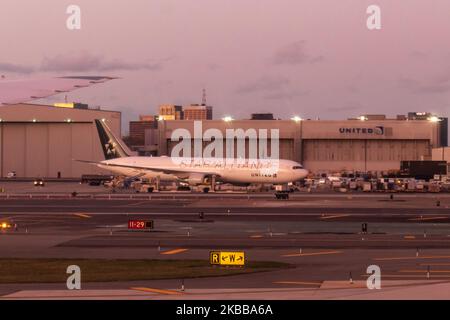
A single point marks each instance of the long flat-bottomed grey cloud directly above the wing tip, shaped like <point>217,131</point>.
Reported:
<point>87,62</point>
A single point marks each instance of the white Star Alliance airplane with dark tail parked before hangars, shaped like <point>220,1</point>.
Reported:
<point>194,171</point>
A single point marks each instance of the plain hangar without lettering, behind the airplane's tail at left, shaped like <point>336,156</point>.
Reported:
<point>43,140</point>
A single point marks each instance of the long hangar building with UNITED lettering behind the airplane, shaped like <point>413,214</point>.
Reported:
<point>371,143</point>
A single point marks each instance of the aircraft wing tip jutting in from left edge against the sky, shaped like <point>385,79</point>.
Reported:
<point>24,90</point>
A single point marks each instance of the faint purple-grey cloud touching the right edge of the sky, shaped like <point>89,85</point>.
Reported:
<point>437,85</point>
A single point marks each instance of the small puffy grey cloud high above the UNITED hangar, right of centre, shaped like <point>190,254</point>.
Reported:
<point>294,54</point>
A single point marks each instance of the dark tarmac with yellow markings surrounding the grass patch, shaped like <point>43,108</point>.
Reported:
<point>319,235</point>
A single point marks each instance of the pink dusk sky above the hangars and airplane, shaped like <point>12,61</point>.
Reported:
<point>311,58</point>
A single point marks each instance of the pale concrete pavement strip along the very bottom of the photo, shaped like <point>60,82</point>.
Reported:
<point>329,290</point>
